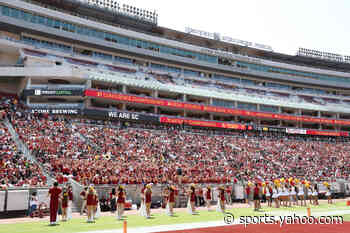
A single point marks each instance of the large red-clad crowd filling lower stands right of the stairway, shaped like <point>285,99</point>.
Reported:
<point>106,153</point>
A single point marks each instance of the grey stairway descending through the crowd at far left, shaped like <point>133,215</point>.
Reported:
<point>26,152</point>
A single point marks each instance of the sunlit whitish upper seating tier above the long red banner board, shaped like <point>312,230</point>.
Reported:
<point>140,81</point>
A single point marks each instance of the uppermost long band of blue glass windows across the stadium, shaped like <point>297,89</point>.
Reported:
<point>16,26</point>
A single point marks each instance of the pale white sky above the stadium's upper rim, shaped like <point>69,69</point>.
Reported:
<point>285,25</point>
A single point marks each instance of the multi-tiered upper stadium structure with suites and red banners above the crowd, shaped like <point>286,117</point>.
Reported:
<point>72,57</point>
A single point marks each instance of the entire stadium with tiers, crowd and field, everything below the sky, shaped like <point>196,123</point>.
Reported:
<point>102,110</point>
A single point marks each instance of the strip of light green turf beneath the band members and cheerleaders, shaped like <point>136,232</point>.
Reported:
<point>109,222</point>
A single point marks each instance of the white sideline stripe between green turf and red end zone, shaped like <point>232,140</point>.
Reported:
<point>188,226</point>
